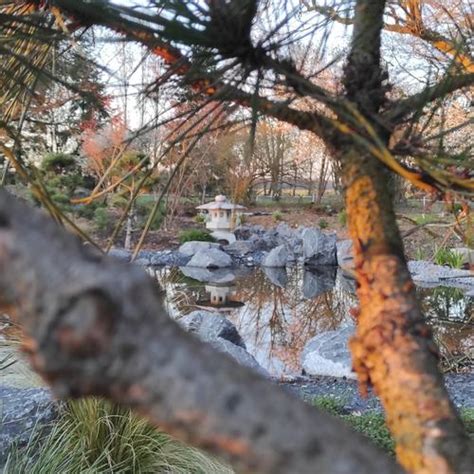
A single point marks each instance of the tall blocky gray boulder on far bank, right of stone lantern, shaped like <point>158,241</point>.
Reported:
<point>318,248</point>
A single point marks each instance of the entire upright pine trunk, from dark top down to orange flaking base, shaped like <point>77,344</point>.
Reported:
<point>393,348</point>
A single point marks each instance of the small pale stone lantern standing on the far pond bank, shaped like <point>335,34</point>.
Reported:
<point>222,217</point>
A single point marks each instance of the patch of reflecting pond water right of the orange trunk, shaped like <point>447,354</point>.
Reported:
<point>451,316</point>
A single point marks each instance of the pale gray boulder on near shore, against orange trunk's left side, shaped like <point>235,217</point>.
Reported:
<point>328,354</point>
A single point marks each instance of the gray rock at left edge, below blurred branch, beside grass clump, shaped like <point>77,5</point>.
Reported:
<point>22,411</point>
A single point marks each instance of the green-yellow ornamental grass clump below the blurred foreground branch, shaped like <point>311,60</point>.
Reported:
<point>95,436</point>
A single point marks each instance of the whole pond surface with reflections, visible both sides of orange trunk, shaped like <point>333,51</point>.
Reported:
<point>277,312</point>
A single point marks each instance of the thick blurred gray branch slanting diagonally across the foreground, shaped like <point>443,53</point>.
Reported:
<point>97,326</point>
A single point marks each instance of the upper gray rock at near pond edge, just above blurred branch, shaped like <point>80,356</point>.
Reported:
<point>210,326</point>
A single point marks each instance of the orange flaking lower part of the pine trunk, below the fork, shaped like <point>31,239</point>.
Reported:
<point>393,348</point>
